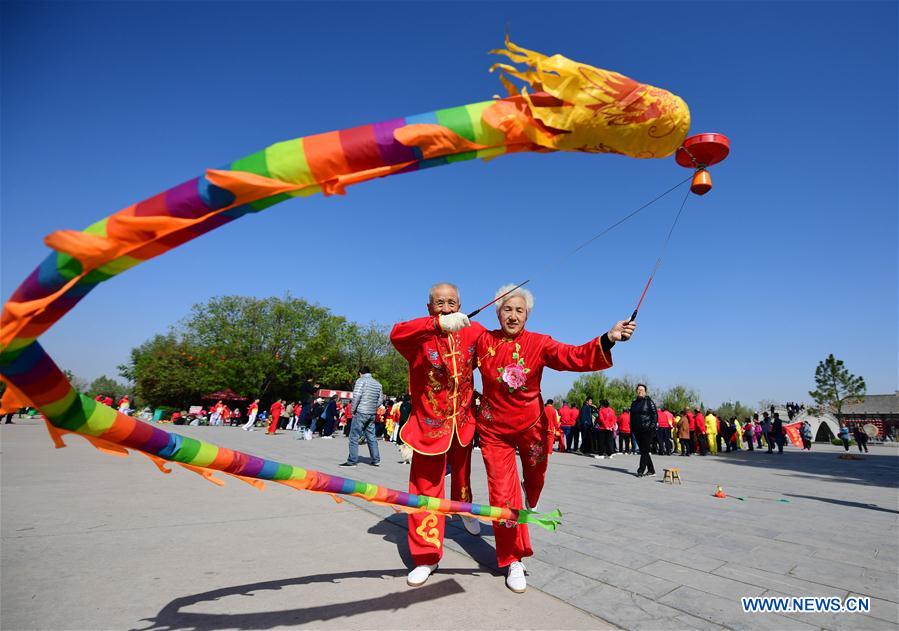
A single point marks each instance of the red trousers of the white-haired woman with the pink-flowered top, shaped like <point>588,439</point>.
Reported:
<point>513,542</point>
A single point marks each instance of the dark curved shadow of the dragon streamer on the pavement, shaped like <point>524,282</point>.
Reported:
<point>173,617</point>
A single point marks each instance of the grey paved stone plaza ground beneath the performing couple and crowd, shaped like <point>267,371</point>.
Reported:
<point>92,541</point>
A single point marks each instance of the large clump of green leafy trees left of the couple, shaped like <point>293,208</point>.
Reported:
<point>261,348</point>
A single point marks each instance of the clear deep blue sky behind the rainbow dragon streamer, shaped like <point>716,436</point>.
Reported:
<point>792,256</point>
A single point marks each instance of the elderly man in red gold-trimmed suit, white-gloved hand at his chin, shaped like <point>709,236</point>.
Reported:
<point>440,349</point>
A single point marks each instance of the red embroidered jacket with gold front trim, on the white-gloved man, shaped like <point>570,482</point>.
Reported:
<point>440,382</point>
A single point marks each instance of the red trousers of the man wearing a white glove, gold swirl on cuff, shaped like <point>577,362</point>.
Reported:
<point>426,478</point>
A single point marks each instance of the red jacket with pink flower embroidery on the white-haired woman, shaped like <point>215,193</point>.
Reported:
<point>512,368</point>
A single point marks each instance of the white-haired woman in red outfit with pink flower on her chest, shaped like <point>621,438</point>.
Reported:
<point>511,361</point>
